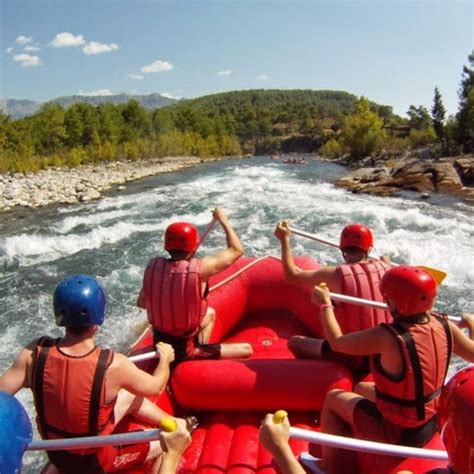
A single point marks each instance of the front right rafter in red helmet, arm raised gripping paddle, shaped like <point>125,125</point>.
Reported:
<point>358,276</point>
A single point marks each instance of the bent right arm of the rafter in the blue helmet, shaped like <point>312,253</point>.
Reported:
<point>125,374</point>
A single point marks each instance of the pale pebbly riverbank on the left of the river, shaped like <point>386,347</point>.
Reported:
<point>81,184</point>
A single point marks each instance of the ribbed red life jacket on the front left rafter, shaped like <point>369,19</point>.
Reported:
<point>173,296</point>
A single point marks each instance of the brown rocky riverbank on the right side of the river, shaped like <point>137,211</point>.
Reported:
<point>452,176</point>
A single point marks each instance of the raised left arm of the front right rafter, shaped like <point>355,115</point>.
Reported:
<point>296,275</point>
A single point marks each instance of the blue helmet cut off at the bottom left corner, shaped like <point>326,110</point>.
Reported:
<point>15,433</point>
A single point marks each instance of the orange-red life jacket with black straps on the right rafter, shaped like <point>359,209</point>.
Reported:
<point>412,400</point>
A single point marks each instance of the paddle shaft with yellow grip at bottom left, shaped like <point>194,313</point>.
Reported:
<point>167,424</point>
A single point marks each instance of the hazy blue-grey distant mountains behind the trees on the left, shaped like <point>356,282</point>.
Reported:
<point>21,108</point>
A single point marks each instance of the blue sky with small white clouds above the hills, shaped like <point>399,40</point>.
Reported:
<point>392,51</point>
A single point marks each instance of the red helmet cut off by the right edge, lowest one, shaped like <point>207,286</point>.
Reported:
<point>454,420</point>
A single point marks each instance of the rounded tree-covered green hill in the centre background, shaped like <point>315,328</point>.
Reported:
<point>268,120</point>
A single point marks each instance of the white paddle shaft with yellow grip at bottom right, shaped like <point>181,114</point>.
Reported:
<point>359,444</point>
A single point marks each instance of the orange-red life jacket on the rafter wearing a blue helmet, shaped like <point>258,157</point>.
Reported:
<point>69,392</point>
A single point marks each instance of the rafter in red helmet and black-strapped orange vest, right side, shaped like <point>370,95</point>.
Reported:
<point>409,359</point>
